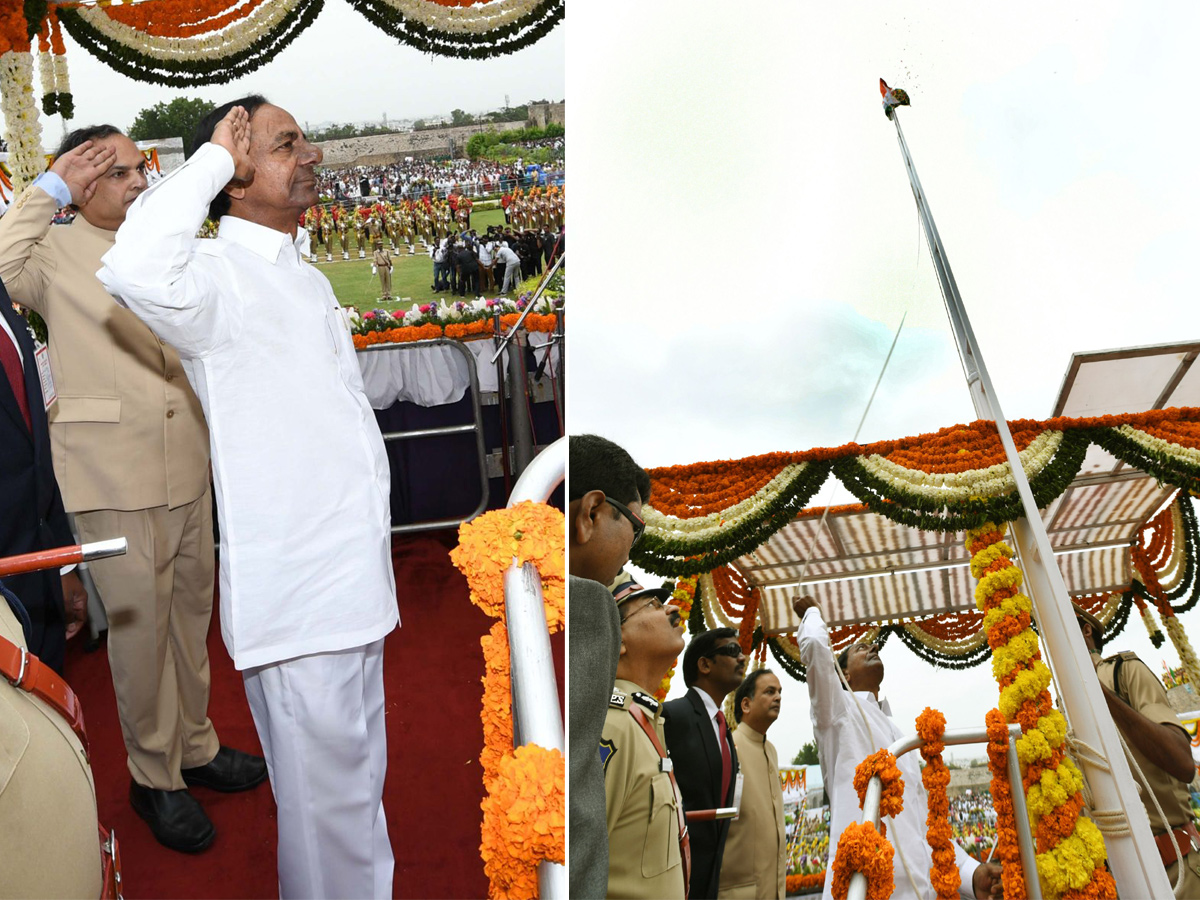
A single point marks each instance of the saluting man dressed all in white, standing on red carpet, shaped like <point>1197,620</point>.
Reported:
<point>308,591</point>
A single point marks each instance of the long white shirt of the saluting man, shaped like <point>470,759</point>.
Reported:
<point>302,477</point>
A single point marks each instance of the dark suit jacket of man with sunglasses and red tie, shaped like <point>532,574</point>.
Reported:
<point>698,767</point>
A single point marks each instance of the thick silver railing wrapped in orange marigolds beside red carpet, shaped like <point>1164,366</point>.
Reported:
<point>537,716</point>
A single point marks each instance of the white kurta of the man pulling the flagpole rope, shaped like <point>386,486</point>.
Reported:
<point>843,742</point>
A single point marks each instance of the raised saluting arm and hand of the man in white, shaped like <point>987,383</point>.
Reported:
<point>149,268</point>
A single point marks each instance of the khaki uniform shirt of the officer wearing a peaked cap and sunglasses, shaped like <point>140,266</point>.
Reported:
<point>644,830</point>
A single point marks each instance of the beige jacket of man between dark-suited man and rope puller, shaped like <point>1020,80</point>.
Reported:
<point>755,863</point>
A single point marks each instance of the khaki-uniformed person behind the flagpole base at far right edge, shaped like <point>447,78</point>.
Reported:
<point>1160,745</point>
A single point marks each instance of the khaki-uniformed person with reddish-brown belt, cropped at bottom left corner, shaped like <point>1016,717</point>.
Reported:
<point>47,796</point>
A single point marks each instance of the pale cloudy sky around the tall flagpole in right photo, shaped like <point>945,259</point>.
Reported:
<point>746,239</point>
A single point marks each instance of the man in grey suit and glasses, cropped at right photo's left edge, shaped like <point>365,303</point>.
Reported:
<point>607,490</point>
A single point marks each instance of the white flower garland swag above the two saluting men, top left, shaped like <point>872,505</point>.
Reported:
<point>233,39</point>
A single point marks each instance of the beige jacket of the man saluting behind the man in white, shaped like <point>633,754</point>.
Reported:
<point>128,433</point>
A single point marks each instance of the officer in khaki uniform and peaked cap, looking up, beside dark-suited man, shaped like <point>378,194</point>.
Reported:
<point>643,802</point>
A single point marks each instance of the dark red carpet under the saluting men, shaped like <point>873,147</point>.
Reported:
<point>433,670</point>
